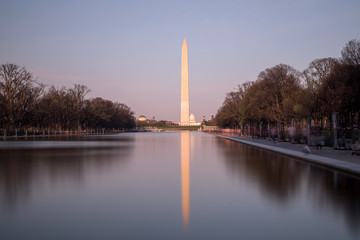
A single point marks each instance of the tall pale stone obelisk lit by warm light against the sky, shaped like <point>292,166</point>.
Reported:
<point>184,86</point>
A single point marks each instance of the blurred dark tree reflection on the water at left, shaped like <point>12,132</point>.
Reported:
<point>24,170</point>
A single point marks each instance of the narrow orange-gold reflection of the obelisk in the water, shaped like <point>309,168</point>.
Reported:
<point>185,176</point>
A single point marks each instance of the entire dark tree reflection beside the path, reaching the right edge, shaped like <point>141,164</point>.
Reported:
<point>282,178</point>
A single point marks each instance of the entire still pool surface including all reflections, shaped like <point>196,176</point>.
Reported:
<point>179,185</point>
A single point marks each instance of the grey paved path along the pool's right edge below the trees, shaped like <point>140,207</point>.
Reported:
<point>338,159</point>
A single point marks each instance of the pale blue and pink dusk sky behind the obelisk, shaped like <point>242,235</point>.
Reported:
<point>130,51</point>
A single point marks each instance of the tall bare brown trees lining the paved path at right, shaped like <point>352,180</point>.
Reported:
<point>284,94</point>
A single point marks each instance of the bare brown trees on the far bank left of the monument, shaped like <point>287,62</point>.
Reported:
<point>25,103</point>
